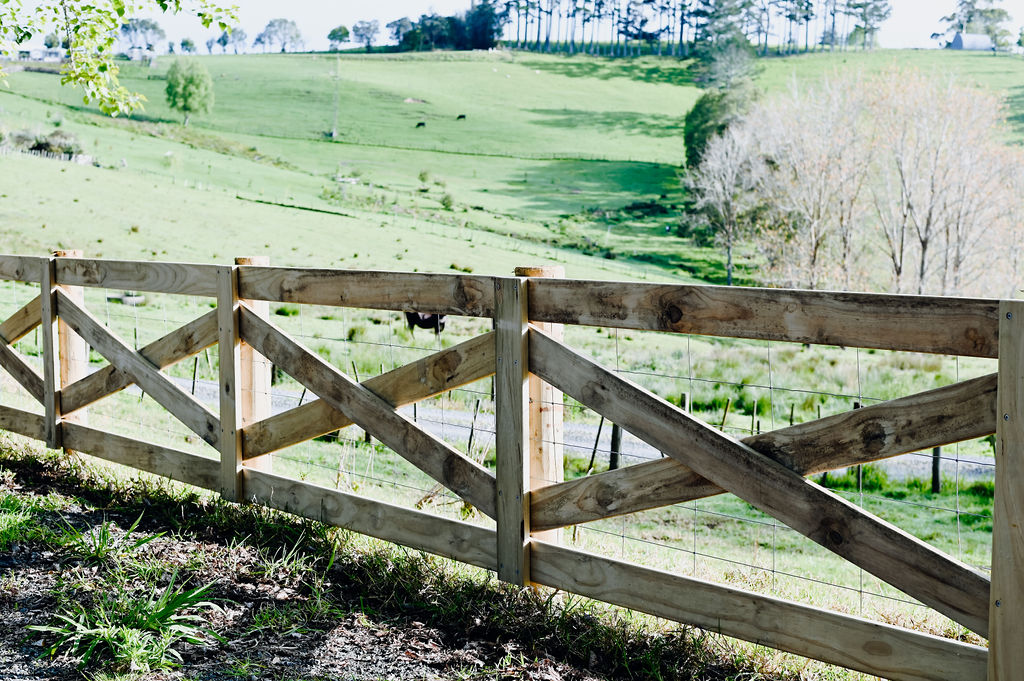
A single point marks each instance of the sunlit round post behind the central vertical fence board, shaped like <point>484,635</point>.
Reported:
<point>546,415</point>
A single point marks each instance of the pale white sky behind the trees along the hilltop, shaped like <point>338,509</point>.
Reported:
<point>912,24</point>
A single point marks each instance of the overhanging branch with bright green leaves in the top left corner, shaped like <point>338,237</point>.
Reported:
<point>91,31</point>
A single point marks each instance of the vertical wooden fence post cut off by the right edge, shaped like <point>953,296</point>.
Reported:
<point>1006,632</point>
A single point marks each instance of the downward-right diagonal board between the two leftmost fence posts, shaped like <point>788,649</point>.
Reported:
<point>187,409</point>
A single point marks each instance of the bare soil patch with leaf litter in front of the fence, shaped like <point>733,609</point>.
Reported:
<point>266,624</point>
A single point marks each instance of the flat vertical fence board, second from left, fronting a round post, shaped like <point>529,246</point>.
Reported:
<point>231,371</point>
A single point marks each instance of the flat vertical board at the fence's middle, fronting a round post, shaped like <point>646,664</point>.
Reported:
<point>513,425</point>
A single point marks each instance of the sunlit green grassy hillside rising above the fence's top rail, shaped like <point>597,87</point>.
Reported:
<point>580,154</point>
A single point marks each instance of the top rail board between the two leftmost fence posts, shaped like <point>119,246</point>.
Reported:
<point>180,278</point>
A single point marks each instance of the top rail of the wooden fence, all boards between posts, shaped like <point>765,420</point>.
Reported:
<point>967,327</point>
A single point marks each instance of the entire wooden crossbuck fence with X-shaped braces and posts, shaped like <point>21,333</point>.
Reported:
<point>531,364</point>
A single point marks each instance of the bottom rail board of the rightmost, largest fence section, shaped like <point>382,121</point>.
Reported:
<point>839,640</point>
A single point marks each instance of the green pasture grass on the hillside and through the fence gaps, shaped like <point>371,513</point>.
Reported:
<point>568,160</point>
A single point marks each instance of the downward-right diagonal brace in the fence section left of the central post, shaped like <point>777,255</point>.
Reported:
<point>435,457</point>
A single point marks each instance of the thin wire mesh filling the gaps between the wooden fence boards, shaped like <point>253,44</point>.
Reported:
<point>722,539</point>
